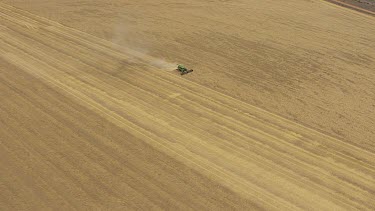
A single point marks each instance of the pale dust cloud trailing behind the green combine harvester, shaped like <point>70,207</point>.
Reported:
<point>133,44</point>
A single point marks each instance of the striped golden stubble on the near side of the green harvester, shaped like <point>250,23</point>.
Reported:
<point>77,132</point>
